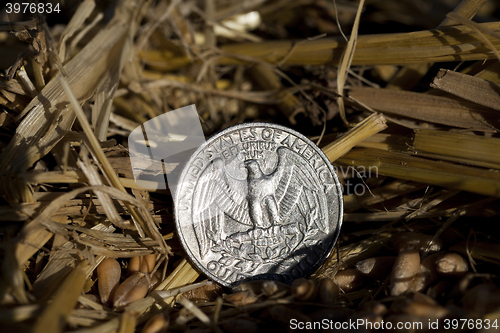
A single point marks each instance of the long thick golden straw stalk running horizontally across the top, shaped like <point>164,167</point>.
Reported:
<point>457,43</point>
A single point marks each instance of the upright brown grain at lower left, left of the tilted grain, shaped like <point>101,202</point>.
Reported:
<point>108,278</point>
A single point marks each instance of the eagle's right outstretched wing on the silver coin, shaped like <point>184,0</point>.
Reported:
<point>297,184</point>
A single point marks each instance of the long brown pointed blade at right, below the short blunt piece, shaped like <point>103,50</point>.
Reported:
<point>429,108</point>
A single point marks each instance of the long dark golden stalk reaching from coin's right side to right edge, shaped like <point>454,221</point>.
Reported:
<point>445,174</point>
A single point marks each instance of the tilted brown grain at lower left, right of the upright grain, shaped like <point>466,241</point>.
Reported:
<point>134,288</point>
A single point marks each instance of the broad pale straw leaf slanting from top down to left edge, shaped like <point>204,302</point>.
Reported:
<point>47,117</point>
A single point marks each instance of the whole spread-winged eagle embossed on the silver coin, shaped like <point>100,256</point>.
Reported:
<point>260,215</point>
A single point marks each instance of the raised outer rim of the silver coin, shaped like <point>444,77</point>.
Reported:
<point>215,136</point>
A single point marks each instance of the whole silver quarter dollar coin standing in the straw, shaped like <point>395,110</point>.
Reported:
<point>258,201</point>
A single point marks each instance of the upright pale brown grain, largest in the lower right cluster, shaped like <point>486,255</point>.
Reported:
<point>405,268</point>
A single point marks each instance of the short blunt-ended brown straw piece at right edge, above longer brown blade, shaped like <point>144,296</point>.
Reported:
<point>468,87</point>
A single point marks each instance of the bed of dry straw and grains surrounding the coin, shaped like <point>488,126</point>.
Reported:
<point>405,107</point>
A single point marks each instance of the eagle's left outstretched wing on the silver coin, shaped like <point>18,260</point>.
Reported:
<point>215,196</point>
